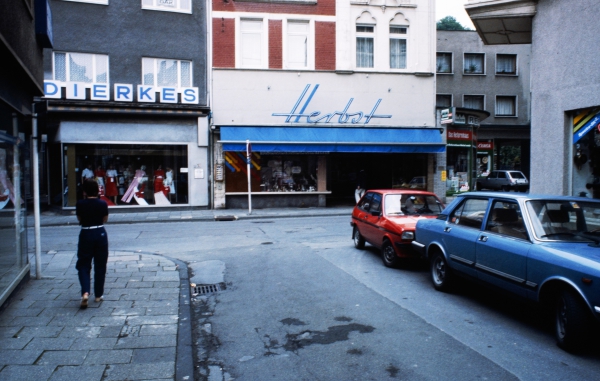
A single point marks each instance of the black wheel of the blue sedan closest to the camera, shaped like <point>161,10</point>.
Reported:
<point>572,321</point>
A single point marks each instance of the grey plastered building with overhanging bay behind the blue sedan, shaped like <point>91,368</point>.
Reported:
<point>565,85</point>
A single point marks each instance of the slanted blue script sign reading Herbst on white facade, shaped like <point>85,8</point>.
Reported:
<point>316,117</point>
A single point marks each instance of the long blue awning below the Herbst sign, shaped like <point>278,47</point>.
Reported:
<point>333,139</point>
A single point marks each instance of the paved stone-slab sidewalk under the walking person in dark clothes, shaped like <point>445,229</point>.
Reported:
<point>132,335</point>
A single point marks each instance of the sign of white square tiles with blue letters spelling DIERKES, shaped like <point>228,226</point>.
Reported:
<point>121,92</point>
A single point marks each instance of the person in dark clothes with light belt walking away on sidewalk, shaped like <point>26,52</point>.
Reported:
<point>92,214</point>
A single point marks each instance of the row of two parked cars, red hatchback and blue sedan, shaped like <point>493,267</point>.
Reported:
<point>542,248</point>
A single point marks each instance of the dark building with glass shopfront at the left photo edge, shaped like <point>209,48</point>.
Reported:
<point>25,29</point>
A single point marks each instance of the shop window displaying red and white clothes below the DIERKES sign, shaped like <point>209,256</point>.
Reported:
<point>128,174</point>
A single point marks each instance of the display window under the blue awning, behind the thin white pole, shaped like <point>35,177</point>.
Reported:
<point>271,173</point>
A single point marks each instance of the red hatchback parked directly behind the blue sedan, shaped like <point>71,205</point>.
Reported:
<point>386,219</point>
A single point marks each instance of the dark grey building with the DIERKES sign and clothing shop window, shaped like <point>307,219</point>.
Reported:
<point>127,102</point>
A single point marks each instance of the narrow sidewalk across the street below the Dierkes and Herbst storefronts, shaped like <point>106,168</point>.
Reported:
<point>129,216</point>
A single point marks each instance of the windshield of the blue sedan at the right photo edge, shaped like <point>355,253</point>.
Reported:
<point>560,220</point>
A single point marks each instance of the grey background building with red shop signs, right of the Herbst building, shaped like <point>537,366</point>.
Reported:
<point>491,78</point>
